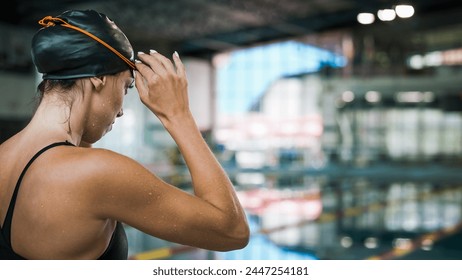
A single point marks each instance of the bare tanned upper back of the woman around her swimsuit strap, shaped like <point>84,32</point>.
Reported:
<point>52,216</point>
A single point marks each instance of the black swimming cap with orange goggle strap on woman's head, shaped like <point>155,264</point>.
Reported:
<point>79,44</point>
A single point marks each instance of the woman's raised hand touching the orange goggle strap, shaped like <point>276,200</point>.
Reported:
<point>162,85</point>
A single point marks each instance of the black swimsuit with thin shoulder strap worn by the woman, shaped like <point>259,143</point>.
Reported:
<point>118,246</point>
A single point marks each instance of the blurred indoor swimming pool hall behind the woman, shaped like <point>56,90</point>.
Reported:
<point>339,122</point>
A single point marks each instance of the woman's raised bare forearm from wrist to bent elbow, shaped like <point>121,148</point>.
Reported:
<point>209,180</point>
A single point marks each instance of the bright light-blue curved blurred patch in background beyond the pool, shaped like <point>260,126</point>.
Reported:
<point>249,72</point>
